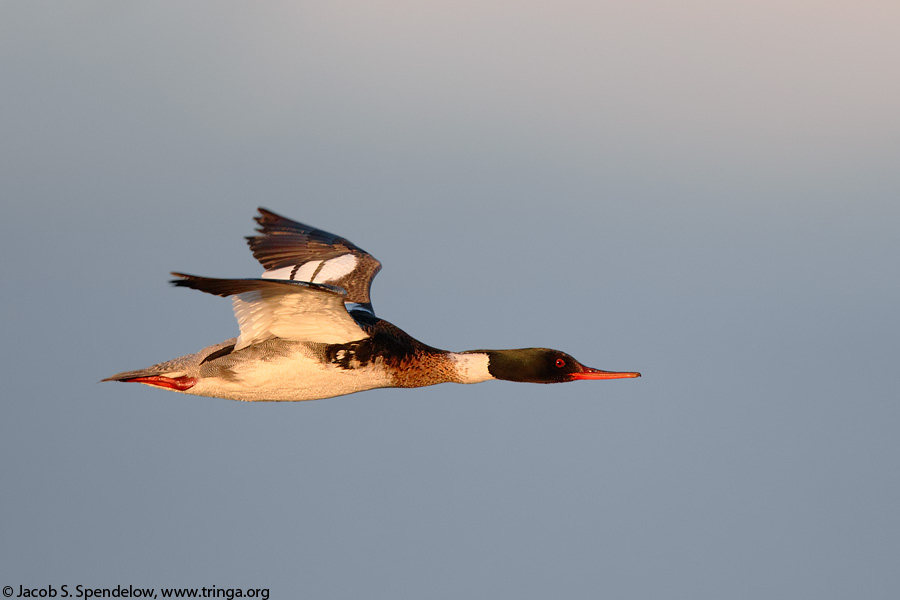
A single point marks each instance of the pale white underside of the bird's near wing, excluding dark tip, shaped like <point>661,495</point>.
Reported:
<point>298,314</point>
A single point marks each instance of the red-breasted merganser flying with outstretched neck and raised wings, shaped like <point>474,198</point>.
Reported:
<point>308,331</point>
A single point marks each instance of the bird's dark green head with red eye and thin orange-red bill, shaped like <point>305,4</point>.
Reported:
<point>542,365</point>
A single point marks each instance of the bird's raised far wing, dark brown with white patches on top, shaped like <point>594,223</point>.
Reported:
<point>297,252</point>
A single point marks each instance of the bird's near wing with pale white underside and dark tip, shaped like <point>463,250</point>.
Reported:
<point>290,310</point>
